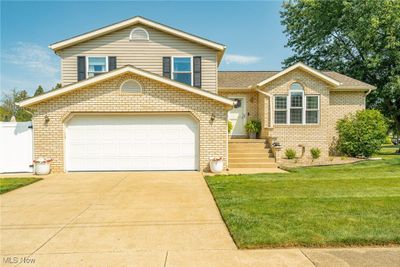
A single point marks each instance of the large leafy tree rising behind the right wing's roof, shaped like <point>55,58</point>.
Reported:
<point>359,38</point>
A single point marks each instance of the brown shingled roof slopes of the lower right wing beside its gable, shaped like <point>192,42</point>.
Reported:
<point>250,79</point>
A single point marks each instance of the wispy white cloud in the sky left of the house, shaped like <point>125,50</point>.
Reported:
<point>36,58</point>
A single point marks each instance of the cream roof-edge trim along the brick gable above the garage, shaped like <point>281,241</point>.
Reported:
<point>126,69</point>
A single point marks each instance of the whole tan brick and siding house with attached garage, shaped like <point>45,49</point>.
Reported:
<point>140,95</point>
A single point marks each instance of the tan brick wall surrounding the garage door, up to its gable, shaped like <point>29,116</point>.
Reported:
<point>106,97</point>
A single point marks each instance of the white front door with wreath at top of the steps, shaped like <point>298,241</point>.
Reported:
<point>238,116</point>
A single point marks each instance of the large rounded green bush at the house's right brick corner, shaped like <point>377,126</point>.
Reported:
<point>361,134</point>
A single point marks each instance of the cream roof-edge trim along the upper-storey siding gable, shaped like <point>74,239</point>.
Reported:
<point>133,21</point>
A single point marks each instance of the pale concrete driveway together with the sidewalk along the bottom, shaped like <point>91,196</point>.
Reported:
<point>139,219</point>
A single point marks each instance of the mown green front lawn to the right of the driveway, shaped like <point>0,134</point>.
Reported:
<point>342,205</point>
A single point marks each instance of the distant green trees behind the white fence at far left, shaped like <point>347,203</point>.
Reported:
<point>9,107</point>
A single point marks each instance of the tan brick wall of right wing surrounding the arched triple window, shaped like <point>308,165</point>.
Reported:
<point>333,106</point>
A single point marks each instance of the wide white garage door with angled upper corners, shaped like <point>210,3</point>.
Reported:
<point>131,142</point>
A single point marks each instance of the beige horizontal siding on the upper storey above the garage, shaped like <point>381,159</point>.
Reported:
<point>142,54</point>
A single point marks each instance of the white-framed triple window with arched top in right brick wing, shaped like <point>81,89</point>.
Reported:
<point>297,108</point>
